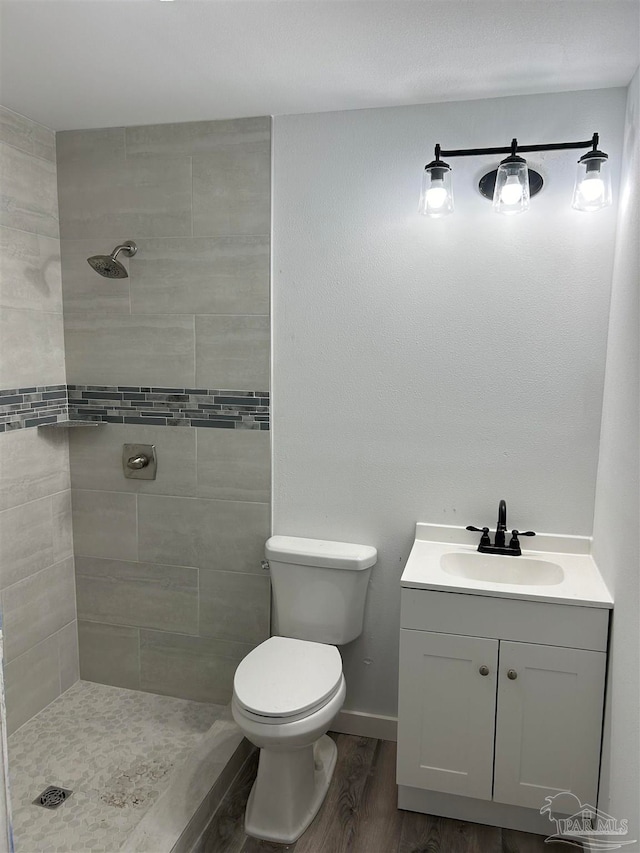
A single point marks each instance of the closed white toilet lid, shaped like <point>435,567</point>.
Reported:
<point>283,676</point>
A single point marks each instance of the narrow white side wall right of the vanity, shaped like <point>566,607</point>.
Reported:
<point>617,510</point>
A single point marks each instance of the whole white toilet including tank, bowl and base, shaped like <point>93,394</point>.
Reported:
<point>288,690</point>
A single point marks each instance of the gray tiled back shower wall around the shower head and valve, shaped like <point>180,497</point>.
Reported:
<point>170,591</point>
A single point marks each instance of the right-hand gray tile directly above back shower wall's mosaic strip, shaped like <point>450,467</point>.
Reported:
<point>232,352</point>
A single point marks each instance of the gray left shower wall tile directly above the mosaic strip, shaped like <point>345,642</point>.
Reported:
<point>32,348</point>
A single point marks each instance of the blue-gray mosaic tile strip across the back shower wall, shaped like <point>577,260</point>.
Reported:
<point>196,407</point>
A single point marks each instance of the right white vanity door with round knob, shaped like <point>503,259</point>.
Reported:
<point>549,723</point>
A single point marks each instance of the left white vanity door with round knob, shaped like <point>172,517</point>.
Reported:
<point>446,714</point>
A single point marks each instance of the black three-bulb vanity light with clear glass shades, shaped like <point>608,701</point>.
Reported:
<point>512,184</point>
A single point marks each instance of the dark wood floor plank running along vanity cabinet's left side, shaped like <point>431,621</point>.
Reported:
<point>379,820</point>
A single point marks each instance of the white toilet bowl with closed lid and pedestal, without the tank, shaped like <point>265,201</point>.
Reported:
<point>286,694</point>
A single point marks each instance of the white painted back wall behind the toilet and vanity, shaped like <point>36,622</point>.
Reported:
<point>425,369</point>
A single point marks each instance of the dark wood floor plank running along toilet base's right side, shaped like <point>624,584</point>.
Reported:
<point>334,828</point>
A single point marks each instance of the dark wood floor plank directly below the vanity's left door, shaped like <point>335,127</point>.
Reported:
<point>428,834</point>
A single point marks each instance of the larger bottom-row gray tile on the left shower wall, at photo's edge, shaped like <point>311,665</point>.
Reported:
<point>31,682</point>
